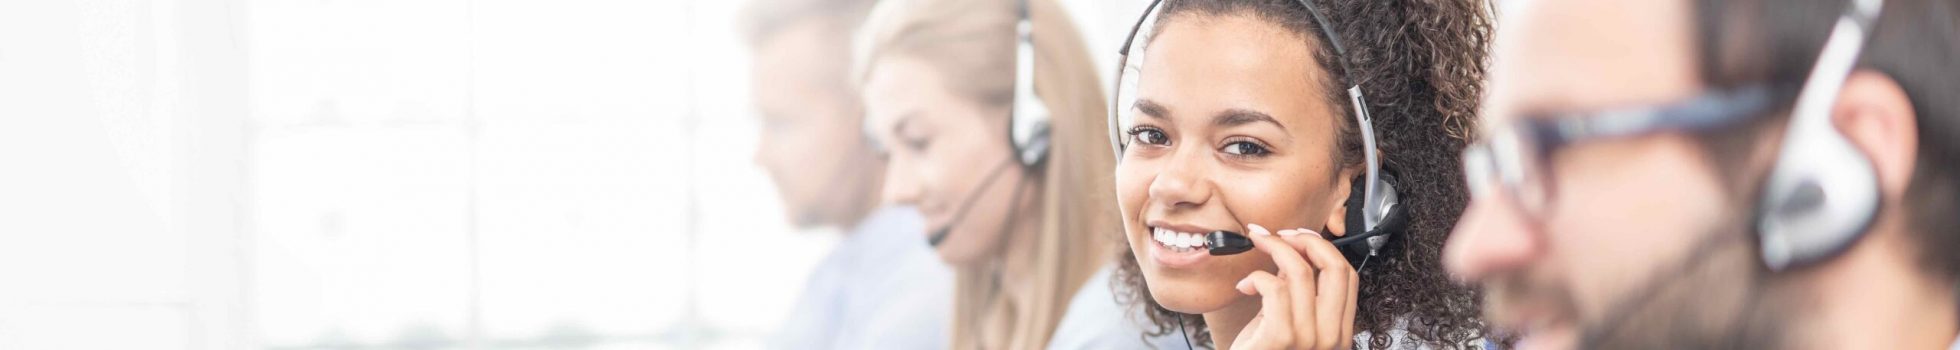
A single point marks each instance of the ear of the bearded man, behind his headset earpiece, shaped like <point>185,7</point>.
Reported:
<point>1879,118</point>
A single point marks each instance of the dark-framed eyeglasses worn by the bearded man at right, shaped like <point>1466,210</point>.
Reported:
<point>1514,157</point>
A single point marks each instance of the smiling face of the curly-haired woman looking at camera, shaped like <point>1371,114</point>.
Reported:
<point>1230,130</point>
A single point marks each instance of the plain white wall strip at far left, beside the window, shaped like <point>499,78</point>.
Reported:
<point>121,136</point>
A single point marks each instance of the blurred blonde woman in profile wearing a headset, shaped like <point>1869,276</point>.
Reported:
<point>1026,228</point>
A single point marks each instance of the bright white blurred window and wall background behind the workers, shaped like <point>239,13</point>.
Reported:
<point>422,175</point>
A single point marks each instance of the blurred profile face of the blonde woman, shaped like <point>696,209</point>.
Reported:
<point>942,152</point>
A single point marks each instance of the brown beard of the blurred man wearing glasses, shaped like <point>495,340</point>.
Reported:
<point>1718,296</point>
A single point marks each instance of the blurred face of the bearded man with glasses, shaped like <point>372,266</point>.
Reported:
<point>1606,263</point>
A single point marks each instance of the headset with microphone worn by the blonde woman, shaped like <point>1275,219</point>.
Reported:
<point>1028,124</point>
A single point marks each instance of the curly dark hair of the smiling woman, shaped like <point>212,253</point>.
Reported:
<point>1422,67</point>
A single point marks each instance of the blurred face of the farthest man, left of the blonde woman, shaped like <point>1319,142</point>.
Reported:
<point>810,148</point>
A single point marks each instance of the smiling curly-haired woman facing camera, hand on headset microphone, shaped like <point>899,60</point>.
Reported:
<point>1242,124</point>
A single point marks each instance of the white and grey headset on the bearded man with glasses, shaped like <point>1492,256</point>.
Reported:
<point>1824,193</point>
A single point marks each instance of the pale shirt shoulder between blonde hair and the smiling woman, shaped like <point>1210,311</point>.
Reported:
<point>1095,320</point>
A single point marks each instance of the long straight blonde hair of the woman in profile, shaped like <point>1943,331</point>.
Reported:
<point>973,44</point>
